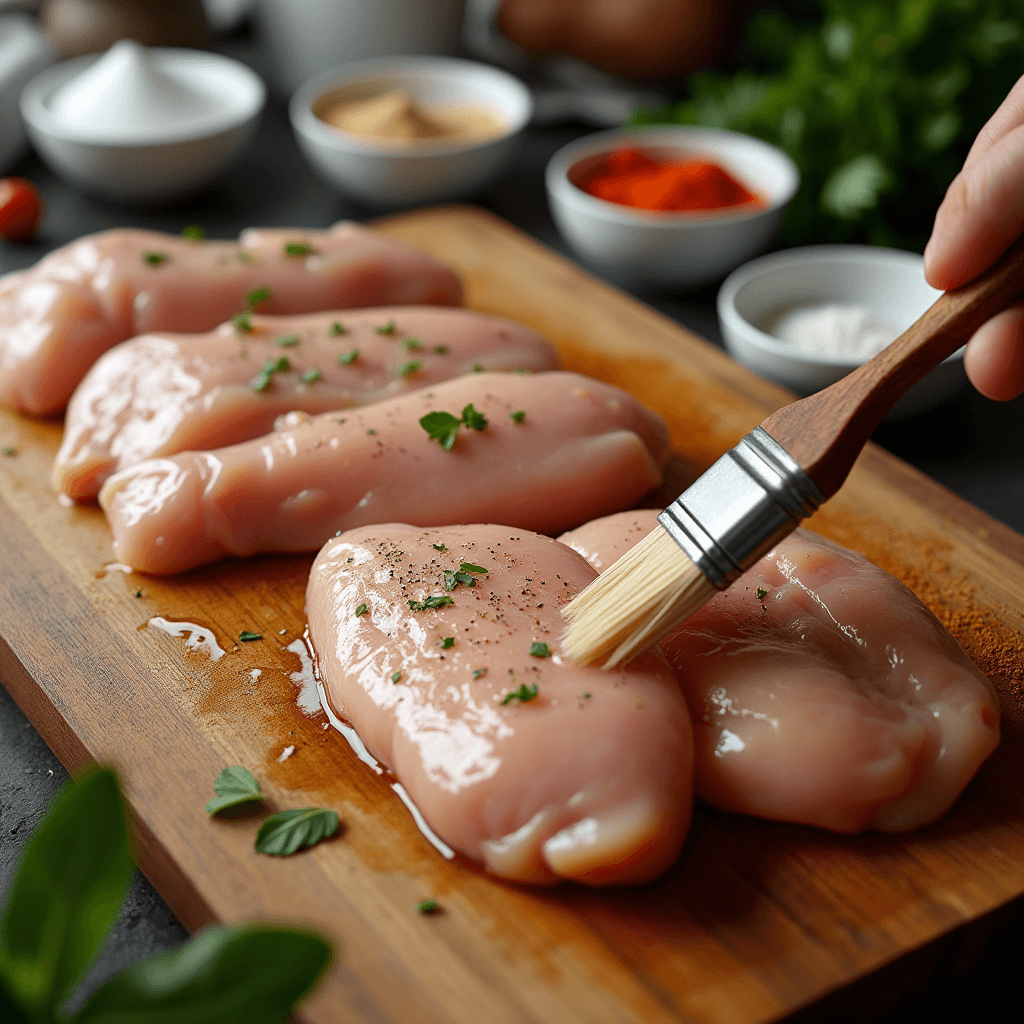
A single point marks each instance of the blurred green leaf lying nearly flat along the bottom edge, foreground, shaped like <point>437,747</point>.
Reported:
<point>255,974</point>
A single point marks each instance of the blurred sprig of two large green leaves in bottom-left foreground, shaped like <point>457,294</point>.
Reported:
<point>69,888</point>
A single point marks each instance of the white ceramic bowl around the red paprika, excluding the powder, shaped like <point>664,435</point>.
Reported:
<point>652,249</point>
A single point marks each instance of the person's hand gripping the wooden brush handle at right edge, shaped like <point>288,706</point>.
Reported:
<point>980,218</point>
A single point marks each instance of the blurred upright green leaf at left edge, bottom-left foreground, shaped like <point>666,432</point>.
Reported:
<point>67,893</point>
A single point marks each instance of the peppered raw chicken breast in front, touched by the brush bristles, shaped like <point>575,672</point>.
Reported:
<point>586,776</point>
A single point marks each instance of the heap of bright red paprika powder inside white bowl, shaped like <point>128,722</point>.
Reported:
<point>632,178</point>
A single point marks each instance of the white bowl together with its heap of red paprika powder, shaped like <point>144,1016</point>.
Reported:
<point>669,207</point>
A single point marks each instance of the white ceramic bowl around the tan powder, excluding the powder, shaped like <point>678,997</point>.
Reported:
<point>385,176</point>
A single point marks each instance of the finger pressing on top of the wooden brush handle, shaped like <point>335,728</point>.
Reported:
<point>982,216</point>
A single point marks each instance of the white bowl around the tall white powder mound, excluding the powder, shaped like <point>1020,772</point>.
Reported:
<point>165,163</point>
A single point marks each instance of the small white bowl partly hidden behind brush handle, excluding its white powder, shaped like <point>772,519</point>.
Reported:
<point>888,282</point>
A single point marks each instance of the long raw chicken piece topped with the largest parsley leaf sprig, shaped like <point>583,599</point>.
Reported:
<point>581,449</point>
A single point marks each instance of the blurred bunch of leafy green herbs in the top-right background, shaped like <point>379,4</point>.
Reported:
<point>877,103</point>
